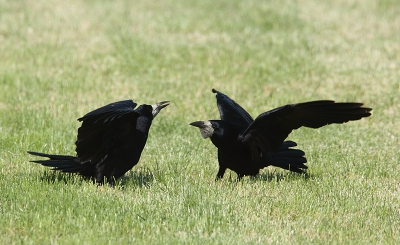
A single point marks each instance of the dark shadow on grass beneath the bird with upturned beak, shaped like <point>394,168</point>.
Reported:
<point>141,178</point>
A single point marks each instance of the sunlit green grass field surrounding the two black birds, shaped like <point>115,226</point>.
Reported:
<point>61,59</point>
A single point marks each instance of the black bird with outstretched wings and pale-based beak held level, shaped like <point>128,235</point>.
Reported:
<point>246,145</point>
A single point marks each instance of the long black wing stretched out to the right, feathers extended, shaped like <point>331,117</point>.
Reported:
<point>271,128</point>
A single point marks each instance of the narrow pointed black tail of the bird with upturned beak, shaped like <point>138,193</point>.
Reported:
<point>67,164</point>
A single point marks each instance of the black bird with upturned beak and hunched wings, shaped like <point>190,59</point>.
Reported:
<point>109,142</point>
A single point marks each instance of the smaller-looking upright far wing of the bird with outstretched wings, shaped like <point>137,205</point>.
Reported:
<point>229,110</point>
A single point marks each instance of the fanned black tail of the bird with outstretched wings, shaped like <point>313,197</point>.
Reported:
<point>286,158</point>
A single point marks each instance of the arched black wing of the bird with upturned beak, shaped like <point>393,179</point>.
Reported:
<point>105,130</point>
